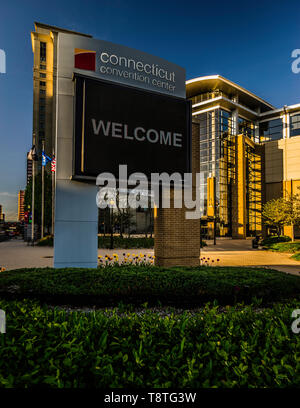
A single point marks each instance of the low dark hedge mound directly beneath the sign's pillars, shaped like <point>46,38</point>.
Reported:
<point>145,283</point>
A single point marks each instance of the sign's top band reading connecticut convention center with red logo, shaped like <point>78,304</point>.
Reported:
<point>117,63</point>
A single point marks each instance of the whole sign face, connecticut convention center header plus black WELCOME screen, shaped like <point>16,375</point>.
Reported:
<point>129,108</point>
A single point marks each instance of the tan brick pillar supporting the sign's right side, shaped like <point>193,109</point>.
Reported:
<point>177,239</point>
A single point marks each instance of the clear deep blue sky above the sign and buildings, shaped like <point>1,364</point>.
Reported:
<point>249,42</point>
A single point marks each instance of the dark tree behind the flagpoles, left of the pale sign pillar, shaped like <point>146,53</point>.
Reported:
<point>38,199</point>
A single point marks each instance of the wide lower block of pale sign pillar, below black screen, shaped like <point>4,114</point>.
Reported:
<point>76,225</point>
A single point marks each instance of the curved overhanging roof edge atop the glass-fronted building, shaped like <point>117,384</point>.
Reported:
<point>209,83</point>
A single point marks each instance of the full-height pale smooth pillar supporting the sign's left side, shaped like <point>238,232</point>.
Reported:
<point>76,212</point>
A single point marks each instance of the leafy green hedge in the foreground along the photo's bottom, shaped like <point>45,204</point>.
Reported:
<point>238,348</point>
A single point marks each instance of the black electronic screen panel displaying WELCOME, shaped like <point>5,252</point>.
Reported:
<point>123,125</point>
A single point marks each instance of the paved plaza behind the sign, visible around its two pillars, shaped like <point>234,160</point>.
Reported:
<point>16,254</point>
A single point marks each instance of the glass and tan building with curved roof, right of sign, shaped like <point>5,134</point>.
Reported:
<point>249,154</point>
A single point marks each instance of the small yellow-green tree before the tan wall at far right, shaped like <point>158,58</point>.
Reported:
<point>274,213</point>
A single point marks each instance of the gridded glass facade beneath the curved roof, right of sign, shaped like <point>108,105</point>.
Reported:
<point>217,130</point>
